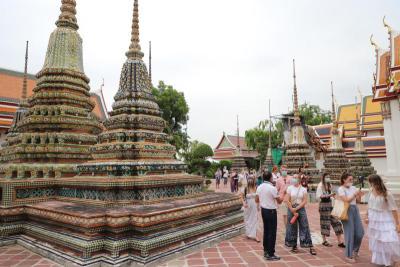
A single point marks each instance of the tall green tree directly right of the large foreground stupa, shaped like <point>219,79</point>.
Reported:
<point>175,112</point>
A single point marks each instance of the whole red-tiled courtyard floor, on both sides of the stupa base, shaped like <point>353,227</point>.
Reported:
<point>235,252</point>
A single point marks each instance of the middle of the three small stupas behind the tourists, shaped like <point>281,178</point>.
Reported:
<point>336,161</point>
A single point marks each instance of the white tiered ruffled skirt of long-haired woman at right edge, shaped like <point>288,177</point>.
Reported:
<point>384,241</point>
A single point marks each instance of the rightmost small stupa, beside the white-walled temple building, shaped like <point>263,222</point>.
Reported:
<point>360,163</point>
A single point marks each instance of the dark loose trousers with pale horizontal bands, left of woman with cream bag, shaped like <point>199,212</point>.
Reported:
<point>326,220</point>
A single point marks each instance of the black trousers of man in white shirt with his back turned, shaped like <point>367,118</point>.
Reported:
<point>270,225</point>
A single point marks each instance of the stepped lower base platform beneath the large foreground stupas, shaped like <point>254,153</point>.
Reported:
<point>87,235</point>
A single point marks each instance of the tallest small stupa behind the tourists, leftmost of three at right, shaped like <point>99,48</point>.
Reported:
<point>298,152</point>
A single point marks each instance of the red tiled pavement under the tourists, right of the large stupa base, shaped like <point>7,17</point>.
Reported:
<point>241,252</point>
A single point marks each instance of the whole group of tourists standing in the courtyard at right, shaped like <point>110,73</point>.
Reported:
<point>288,195</point>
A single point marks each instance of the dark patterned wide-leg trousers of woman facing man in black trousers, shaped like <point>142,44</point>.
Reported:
<point>300,228</point>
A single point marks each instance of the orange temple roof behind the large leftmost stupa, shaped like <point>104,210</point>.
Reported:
<point>11,93</point>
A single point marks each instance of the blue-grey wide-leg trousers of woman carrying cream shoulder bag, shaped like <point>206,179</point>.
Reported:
<point>353,231</point>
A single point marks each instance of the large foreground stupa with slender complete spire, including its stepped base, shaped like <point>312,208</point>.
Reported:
<point>133,203</point>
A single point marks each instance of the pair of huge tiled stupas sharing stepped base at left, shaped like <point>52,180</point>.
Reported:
<point>112,194</point>
